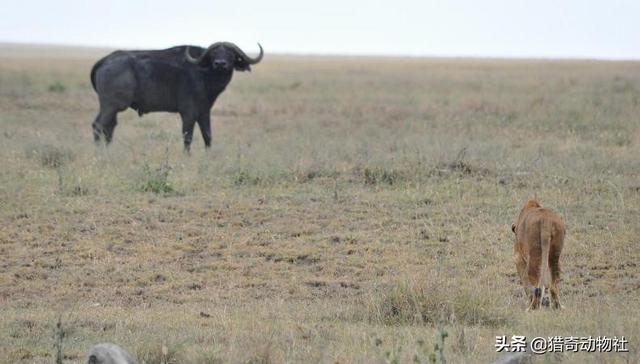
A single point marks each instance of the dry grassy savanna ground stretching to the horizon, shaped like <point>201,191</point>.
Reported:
<point>350,209</point>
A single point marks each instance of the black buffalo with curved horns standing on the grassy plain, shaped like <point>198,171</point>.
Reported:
<point>182,79</point>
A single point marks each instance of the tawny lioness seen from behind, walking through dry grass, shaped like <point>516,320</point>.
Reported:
<point>539,240</point>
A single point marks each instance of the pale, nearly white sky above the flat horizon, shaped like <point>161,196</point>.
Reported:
<point>607,29</point>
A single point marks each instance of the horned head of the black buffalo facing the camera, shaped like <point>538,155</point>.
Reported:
<point>224,56</point>
